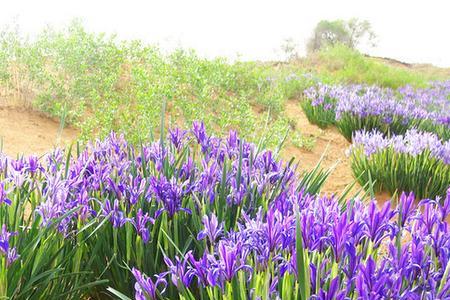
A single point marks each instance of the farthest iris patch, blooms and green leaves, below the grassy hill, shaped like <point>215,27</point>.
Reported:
<point>356,107</point>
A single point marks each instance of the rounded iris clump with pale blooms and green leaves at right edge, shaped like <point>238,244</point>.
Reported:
<point>416,161</point>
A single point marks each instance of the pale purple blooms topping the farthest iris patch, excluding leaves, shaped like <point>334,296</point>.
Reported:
<point>405,104</point>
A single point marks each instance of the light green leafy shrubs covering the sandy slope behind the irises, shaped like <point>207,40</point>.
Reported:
<point>99,84</point>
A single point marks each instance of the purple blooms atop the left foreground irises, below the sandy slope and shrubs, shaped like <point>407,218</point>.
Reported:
<point>113,180</point>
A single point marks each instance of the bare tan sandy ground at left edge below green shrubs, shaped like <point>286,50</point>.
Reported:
<point>28,132</point>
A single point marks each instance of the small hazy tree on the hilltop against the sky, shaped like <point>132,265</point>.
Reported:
<point>351,33</point>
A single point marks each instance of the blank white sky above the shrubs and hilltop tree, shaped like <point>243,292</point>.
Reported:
<point>412,31</point>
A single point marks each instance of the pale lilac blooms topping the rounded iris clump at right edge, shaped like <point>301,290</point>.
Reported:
<point>413,142</point>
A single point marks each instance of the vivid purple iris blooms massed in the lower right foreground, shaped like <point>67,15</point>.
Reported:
<point>381,252</point>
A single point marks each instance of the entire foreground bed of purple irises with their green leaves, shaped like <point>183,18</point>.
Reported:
<point>194,216</point>
